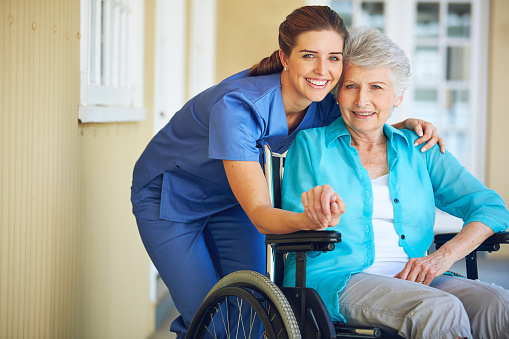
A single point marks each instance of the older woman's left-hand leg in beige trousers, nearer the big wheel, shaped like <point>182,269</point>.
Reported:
<point>411,309</point>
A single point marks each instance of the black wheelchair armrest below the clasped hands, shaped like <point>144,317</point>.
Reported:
<point>304,241</point>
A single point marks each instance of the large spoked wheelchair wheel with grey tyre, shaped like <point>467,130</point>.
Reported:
<point>262,295</point>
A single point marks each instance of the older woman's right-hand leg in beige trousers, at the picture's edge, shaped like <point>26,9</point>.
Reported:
<point>487,304</point>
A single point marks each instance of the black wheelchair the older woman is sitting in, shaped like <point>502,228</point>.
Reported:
<point>265,309</point>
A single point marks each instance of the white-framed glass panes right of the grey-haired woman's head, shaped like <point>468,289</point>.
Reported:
<point>444,74</point>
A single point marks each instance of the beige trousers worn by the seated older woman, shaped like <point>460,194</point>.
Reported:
<point>451,307</point>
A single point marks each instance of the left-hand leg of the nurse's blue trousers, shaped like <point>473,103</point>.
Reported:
<point>179,253</point>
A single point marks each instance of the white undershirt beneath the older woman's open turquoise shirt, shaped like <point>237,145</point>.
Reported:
<point>390,258</point>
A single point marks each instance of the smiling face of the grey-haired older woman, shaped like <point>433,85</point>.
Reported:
<point>366,98</point>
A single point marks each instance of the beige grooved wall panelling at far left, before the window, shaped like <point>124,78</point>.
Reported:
<point>40,242</point>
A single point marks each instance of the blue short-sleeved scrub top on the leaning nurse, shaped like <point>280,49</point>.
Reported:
<point>229,121</point>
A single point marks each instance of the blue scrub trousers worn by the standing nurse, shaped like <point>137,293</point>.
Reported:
<point>192,257</point>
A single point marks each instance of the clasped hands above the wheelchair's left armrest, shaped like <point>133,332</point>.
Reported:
<point>323,206</point>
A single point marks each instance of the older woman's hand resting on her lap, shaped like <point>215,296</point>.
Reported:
<point>424,269</point>
